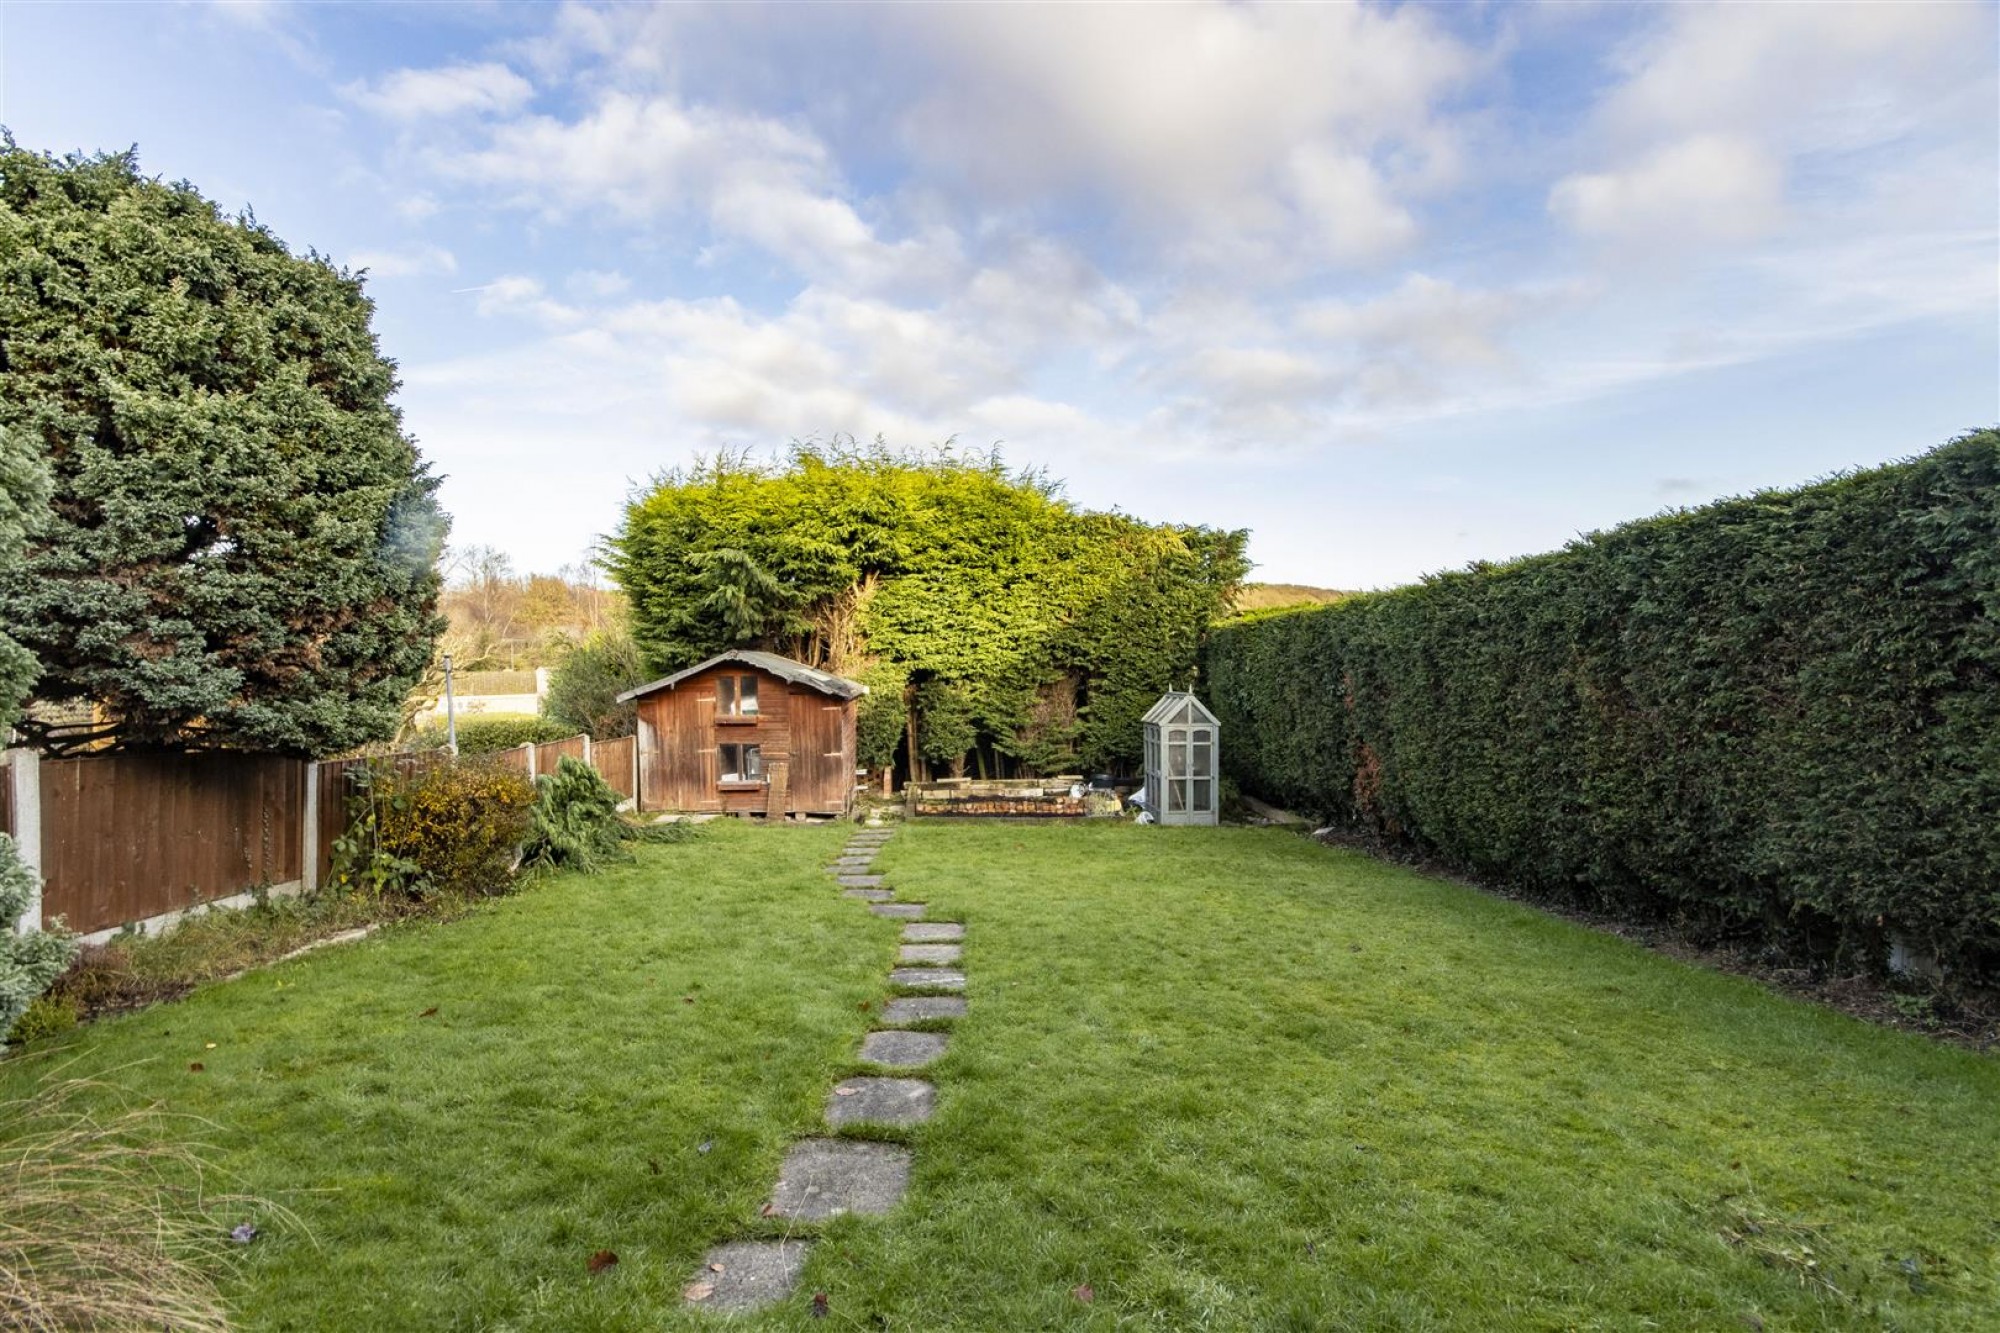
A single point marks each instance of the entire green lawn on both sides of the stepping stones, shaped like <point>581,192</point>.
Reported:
<point>1227,1080</point>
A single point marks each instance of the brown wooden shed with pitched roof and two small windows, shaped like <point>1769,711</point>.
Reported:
<point>747,734</point>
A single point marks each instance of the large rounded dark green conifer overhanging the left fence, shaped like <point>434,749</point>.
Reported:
<point>243,539</point>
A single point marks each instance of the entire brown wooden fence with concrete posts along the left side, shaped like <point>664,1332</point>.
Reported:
<point>125,840</point>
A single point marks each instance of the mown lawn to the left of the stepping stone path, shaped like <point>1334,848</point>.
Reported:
<point>613,1064</point>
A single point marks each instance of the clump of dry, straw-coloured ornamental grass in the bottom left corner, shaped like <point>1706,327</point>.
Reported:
<point>105,1222</point>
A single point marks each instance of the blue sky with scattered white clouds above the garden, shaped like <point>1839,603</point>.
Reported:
<point>1395,287</point>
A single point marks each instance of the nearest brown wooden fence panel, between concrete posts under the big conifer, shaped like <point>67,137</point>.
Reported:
<point>135,836</point>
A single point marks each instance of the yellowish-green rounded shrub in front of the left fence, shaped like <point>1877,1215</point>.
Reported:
<point>435,830</point>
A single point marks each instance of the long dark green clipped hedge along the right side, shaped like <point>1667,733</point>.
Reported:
<point>1777,714</point>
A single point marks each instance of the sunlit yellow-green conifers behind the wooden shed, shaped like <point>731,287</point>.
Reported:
<point>1037,631</point>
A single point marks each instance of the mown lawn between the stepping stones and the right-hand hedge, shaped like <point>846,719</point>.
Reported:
<point>1231,1080</point>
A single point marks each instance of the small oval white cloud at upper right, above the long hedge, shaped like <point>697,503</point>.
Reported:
<point>1711,187</point>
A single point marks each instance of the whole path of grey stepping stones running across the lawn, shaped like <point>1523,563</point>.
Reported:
<point>829,1178</point>
